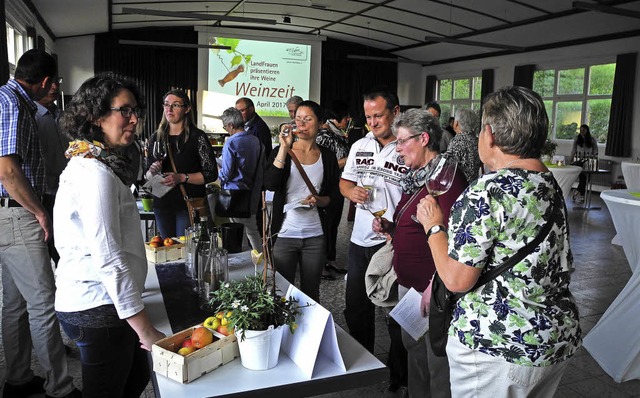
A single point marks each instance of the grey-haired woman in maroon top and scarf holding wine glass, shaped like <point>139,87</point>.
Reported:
<point>418,142</point>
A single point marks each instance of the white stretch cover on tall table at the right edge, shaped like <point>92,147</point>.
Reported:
<point>614,342</point>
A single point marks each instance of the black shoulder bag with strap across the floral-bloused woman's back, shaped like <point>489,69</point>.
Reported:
<point>443,301</point>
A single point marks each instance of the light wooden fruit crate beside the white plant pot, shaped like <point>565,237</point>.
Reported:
<point>185,369</point>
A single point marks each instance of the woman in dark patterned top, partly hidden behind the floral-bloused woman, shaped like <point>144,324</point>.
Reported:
<point>464,146</point>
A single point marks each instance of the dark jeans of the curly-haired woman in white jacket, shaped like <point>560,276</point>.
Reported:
<point>113,364</point>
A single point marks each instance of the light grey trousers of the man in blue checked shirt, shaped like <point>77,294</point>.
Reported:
<point>28,315</point>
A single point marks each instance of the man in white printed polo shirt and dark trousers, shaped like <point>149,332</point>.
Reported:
<point>376,153</point>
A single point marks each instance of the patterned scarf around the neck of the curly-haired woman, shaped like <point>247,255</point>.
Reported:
<point>115,159</point>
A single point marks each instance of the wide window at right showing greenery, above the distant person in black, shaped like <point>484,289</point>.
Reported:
<point>575,96</point>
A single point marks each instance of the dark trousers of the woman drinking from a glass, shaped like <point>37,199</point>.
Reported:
<point>310,253</point>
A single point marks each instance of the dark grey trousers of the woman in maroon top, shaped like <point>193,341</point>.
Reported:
<point>428,374</point>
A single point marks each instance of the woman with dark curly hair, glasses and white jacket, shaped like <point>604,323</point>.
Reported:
<point>102,268</point>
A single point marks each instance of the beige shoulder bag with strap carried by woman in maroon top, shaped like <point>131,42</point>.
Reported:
<point>380,279</point>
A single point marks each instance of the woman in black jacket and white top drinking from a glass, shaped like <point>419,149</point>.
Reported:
<point>298,215</point>
